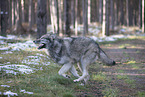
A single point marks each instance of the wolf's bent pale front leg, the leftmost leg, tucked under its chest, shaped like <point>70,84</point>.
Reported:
<point>64,69</point>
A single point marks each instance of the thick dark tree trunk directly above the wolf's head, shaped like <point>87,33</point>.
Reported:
<point>41,18</point>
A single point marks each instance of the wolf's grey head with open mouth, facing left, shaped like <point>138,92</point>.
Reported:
<point>45,40</point>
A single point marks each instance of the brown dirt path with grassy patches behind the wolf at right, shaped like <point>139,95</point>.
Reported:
<point>128,76</point>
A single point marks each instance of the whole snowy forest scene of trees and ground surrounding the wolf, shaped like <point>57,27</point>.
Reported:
<point>116,25</point>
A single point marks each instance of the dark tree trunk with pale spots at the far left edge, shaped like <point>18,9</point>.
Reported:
<point>4,16</point>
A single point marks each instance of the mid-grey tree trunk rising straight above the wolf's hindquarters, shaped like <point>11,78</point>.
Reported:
<point>85,17</point>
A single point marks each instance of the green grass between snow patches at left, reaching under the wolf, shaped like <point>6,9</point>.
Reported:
<point>44,82</point>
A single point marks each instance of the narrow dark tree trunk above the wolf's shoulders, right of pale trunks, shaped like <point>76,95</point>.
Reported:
<point>67,18</point>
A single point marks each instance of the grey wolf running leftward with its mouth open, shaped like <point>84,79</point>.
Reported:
<point>71,50</point>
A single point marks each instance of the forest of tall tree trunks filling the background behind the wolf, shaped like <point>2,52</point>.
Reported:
<point>33,16</point>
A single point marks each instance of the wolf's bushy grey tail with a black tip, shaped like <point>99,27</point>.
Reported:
<point>105,59</point>
